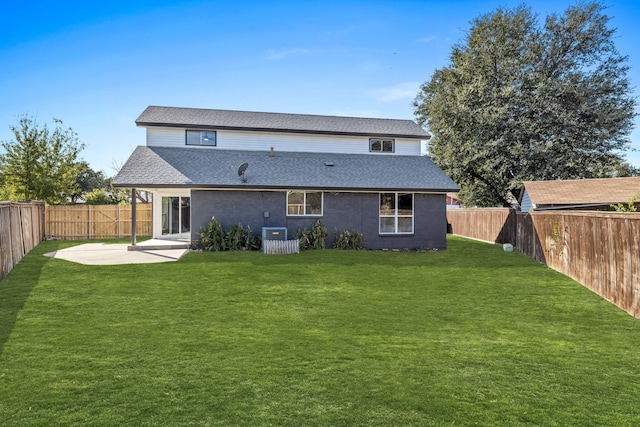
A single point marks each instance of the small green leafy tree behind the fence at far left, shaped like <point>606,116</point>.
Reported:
<point>39,163</point>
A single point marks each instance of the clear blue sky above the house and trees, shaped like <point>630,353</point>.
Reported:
<point>98,65</point>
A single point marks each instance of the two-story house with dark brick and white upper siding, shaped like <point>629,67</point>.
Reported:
<point>288,170</point>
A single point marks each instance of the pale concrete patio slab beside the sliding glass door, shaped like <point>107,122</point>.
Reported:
<point>115,254</point>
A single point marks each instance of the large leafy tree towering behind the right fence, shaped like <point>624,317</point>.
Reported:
<point>522,101</point>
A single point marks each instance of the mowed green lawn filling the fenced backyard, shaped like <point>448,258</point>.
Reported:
<point>468,336</point>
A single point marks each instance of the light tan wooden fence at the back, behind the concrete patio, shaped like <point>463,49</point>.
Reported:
<point>80,222</point>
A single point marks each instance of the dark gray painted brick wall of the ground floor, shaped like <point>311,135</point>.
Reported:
<point>342,211</point>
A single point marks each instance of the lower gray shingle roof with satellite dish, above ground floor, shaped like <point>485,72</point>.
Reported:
<point>152,167</point>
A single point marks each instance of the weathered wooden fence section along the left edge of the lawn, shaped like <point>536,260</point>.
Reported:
<point>21,229</point>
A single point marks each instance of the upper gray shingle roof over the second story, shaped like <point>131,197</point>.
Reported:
<point>278,122</point>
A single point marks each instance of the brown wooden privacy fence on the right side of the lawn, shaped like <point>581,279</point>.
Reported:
<point>600,250</point>
